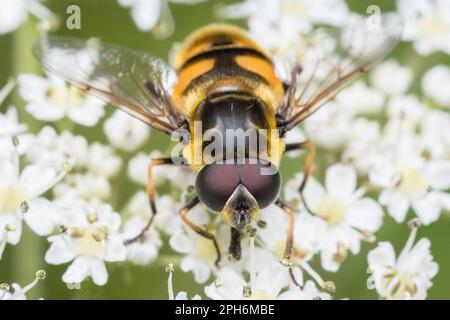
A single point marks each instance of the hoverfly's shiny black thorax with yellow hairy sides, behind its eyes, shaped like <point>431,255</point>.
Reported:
<point>227,127</point>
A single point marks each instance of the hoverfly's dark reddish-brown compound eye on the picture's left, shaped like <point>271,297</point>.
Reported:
<point>215,183</point>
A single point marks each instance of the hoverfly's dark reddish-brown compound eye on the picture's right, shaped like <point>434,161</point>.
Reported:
<point>261,182</point>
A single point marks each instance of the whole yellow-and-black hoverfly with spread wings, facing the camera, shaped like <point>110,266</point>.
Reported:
<point>225,80</point>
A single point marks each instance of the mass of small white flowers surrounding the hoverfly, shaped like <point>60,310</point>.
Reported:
<point>383,152</point>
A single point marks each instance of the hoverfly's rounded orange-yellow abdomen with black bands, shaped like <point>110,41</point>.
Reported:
<point>222,59</point>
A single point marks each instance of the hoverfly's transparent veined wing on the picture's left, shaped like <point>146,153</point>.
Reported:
<point>134,81</point>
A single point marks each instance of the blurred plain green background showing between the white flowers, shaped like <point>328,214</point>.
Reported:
<point>107,20</point>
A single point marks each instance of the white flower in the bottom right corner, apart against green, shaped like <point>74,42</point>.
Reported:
<point>406,277</point>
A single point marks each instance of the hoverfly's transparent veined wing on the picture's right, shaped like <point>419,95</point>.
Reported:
<point>329,59</point>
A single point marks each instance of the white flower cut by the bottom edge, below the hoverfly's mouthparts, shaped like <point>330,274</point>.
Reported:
<point>230,285</point>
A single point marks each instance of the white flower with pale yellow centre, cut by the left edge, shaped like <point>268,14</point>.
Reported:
<point>20,198</point>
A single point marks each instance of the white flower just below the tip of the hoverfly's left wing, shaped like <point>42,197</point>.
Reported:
<point>50,99</point>
